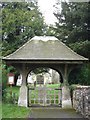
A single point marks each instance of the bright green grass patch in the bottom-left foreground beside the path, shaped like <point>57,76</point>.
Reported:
<point>14,111</point>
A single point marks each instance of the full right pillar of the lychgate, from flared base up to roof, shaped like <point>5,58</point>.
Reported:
<point>66,99</point>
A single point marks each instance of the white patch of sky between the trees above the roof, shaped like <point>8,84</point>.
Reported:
<point>46,7</point>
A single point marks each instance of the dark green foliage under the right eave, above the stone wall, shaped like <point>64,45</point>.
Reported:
<point>80,75</point>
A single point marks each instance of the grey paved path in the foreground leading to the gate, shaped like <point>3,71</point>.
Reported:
<point>54,113</point>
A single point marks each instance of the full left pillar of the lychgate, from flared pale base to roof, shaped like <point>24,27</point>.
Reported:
<point>22,101</point>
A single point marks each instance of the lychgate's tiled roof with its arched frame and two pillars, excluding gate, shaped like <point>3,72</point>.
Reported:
<point>49,53</point>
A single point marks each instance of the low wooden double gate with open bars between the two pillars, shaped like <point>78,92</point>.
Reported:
<point>44,96</point>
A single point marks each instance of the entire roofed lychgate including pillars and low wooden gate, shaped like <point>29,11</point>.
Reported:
<point>44,51</point>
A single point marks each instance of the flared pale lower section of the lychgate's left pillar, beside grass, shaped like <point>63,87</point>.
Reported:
<point>22,101</point>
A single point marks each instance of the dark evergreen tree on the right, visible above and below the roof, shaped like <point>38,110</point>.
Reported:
<point>73,28</point>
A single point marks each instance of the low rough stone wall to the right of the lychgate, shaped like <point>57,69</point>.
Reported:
<point>81,100</point>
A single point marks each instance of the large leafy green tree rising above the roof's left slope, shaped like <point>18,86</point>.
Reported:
<point>20,22</point>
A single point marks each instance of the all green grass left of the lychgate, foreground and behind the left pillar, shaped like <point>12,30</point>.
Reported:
<point>13,110</point>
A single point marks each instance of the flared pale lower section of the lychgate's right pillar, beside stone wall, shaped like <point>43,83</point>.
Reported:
<point>66,98</point>
